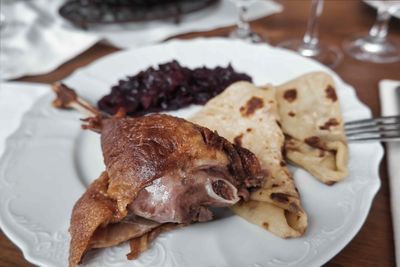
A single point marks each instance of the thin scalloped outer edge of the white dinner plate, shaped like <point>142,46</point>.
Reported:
<point>368,194</point>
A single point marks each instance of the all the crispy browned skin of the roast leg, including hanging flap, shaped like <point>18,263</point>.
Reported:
<point>136,152</point>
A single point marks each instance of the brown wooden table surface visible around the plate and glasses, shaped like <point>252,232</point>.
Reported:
<point>373,245</point>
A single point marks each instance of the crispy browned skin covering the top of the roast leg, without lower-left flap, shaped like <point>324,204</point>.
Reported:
<point>139,150</point>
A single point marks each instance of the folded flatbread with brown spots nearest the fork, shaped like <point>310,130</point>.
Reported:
<point>312,121</point>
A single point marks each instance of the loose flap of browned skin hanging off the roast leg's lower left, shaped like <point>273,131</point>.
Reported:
<point>96,222</point>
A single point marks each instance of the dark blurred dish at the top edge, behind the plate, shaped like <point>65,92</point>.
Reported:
<point>85,12</point>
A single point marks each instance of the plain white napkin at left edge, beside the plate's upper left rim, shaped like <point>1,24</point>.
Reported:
<point>16,98</point>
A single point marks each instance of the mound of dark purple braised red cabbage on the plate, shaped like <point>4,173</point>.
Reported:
<point>169,87</point>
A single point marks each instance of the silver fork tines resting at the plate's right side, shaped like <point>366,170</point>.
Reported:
<point>382,129</point>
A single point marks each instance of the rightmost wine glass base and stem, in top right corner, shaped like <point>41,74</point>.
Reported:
<point>375,46</point>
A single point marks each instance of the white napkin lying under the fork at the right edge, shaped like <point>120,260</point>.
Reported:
<point>390,106</point>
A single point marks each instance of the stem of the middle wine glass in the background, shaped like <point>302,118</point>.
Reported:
<point>310,39</point>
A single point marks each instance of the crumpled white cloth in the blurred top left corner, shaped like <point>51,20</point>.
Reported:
<point>33,41</point>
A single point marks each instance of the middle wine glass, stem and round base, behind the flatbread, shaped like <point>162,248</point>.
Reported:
<point>310,45</point>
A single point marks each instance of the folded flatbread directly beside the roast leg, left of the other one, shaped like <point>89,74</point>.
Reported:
<point>247,115</point>
